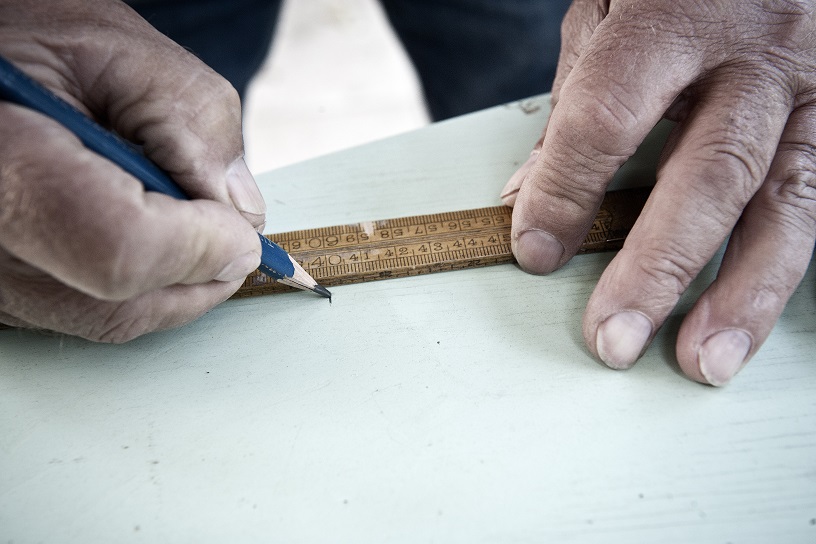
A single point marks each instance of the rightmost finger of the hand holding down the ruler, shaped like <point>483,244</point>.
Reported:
<point>767,256</point>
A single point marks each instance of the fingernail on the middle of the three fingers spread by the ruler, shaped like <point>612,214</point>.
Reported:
<point>621,339</point>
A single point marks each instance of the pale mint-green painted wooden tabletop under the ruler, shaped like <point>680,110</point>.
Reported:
<point>455,407</point>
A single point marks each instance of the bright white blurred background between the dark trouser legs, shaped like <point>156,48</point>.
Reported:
<point>336,77</point>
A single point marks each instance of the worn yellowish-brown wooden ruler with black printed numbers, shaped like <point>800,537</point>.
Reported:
<point>411,246</point>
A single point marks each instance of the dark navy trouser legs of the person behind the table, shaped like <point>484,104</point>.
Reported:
<point>469,54</point>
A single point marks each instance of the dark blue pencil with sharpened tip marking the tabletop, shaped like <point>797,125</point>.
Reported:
<point>20,89</point>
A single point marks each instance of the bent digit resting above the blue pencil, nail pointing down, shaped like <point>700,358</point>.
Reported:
<point>189,127</point>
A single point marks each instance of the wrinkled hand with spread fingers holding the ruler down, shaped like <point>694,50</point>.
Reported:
<point>739,76</point>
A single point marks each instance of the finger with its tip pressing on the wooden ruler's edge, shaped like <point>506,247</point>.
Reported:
<point>606,108</point>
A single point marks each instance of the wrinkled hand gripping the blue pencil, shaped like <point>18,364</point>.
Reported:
<point>84,250</point>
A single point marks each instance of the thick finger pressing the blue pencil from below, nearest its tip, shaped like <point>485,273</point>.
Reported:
<point>83,220</point>
